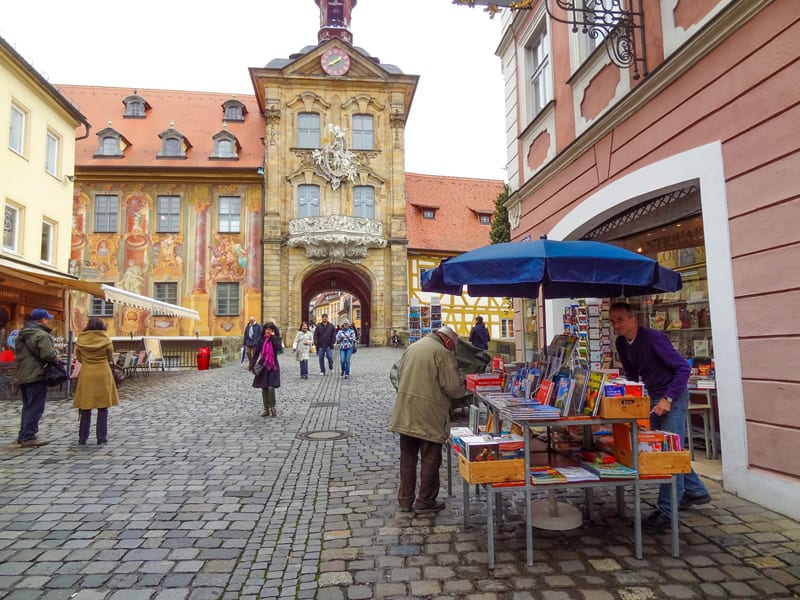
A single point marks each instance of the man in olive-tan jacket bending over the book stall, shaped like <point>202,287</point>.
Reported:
<point>428,380</point>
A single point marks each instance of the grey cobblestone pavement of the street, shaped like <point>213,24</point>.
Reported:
<point>197,496</point>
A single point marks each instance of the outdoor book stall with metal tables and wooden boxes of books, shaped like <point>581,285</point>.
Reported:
<point>563,426</point>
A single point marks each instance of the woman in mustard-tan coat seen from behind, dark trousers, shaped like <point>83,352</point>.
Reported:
<point>96,388</point>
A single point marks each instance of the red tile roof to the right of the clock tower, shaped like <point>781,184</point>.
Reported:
<point>457,201</point>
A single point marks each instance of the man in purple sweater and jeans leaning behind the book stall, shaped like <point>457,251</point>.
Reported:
<point>648,355</point>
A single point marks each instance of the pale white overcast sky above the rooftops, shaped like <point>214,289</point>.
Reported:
<point>209,46</point>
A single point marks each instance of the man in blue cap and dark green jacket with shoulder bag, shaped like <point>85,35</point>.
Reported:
<point>33,347</point>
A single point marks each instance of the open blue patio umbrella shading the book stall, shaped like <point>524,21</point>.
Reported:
<point>562,269</point>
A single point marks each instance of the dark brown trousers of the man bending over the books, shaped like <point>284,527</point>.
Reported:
<point>430,455</point>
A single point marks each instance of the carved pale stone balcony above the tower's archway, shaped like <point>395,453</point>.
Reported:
<point>335,238</point>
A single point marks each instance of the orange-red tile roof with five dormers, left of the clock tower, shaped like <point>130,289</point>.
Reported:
<point>196,115</point>
